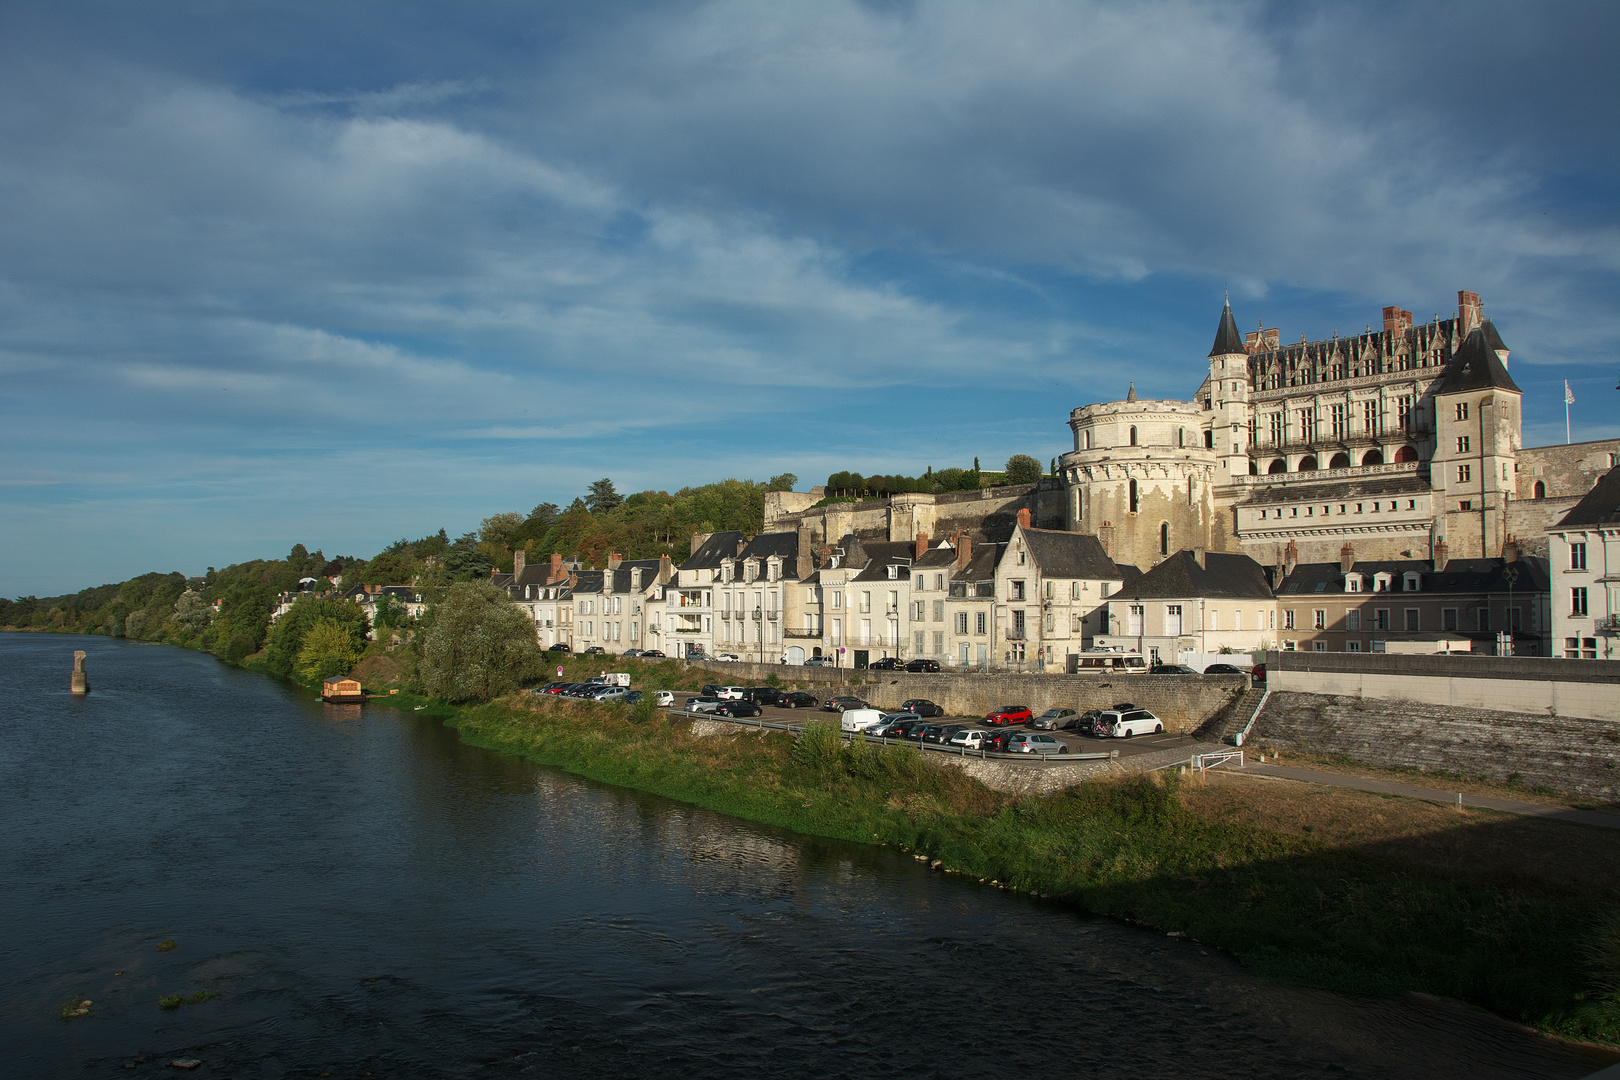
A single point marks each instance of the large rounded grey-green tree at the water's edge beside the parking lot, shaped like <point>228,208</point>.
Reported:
<point>479,645</point>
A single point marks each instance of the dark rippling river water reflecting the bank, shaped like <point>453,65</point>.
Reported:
<point>367,896</point>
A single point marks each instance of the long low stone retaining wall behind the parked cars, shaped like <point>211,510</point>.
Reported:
<point>1183,702</point>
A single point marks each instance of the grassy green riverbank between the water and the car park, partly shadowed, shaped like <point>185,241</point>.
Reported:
<point>1341,916</point>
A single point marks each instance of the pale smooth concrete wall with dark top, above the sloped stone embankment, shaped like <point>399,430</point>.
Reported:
<point>1528,686</point>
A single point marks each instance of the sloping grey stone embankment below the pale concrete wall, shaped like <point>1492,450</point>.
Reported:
<point>1562,754</point>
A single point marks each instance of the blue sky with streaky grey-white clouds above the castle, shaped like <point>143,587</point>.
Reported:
<point>344,273</point>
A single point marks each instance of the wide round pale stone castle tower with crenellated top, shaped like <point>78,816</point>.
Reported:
<point>1141,480</point>
